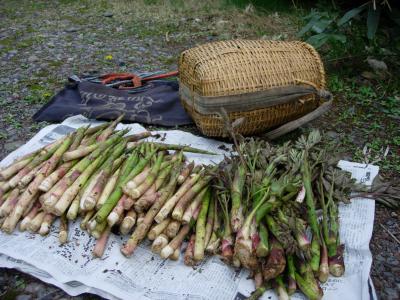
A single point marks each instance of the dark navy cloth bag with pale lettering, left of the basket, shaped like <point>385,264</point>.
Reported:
<point>157,102</point>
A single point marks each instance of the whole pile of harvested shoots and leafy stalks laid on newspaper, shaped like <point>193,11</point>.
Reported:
<point>256,209</point>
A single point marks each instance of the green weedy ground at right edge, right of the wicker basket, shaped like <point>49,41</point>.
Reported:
<point>369,116</point>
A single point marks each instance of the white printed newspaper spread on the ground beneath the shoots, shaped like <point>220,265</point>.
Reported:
<point>145,275</point>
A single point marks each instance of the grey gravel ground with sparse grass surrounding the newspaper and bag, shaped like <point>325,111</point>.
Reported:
<point>42,43</point>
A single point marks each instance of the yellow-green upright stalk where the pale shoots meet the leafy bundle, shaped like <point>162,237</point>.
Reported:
<point>201,228</point>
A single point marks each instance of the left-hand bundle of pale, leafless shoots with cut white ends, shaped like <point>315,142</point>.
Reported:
<point>110,179</point>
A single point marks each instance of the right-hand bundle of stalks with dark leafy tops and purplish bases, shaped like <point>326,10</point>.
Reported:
<point>269,198</point>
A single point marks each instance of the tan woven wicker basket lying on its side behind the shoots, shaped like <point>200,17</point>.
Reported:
<point>269,83</point>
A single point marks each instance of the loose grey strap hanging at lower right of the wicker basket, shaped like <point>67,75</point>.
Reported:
<point>320,110</point>
